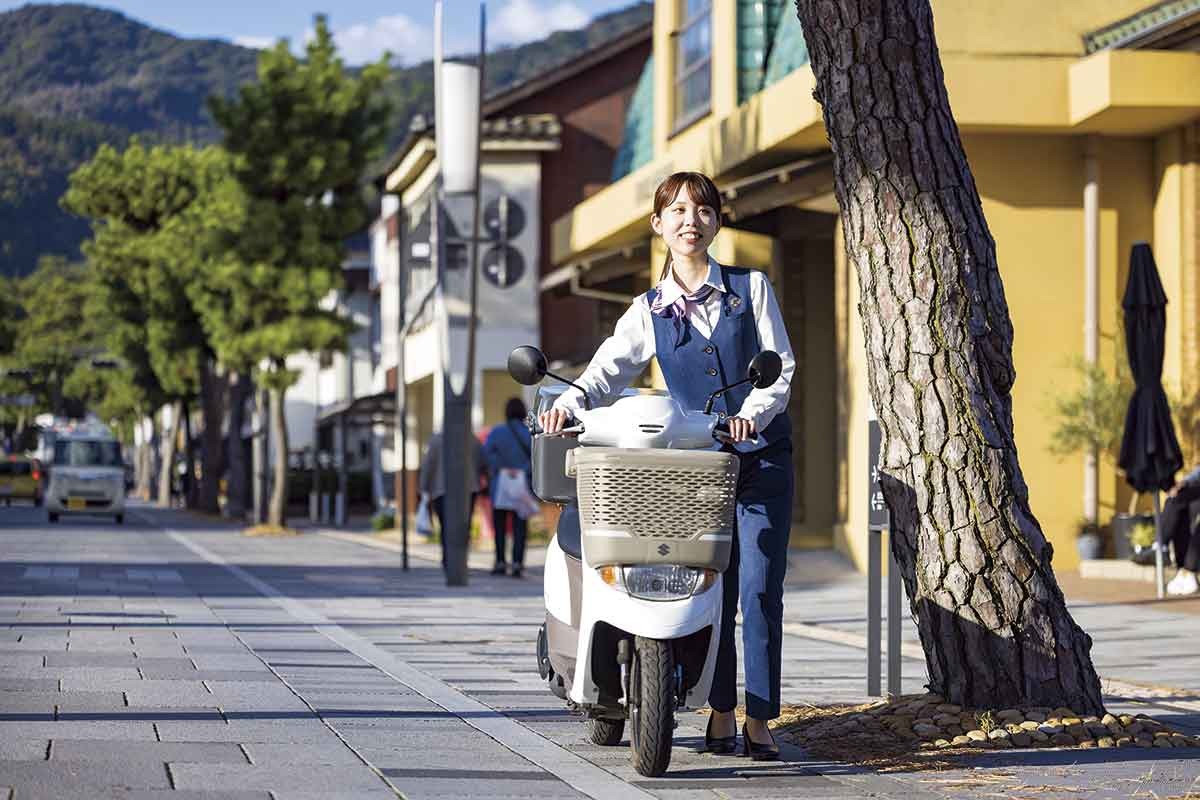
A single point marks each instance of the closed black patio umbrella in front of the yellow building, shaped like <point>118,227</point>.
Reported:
<point>1150,453</point>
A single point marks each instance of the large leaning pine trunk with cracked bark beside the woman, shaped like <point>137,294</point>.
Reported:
<point>976,566</point>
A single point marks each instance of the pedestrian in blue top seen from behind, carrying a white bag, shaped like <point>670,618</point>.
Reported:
<point>509,473</point>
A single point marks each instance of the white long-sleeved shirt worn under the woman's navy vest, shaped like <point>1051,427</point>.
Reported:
<point>625,354</point>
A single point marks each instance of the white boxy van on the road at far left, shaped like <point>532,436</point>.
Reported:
<point>87,477</point>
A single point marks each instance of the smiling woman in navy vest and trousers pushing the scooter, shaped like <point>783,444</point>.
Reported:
<point>705,322</point>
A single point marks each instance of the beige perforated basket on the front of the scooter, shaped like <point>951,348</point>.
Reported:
<point>656,507</point>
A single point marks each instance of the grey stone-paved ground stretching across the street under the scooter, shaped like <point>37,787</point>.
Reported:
<point>176,658</point>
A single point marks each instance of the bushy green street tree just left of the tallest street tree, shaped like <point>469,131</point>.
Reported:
<point>146,255</point>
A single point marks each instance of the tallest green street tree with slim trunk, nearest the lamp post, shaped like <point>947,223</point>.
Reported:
<point>302,137</point>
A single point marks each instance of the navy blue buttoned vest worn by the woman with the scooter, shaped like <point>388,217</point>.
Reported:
<point>699,366</point>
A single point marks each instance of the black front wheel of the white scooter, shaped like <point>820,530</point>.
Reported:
<point>652,708</point>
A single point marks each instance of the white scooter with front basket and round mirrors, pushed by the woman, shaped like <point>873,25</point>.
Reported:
<point>633,578</point>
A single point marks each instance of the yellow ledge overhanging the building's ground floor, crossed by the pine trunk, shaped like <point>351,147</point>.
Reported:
<point>1118,93</point>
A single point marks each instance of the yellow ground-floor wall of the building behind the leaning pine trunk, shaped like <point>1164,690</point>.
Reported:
<point>1033,197</point>
